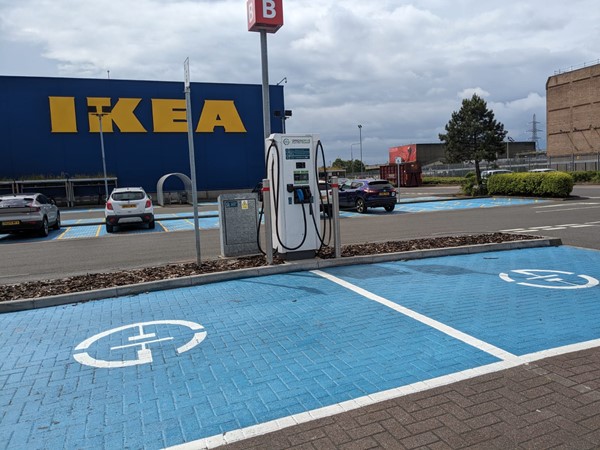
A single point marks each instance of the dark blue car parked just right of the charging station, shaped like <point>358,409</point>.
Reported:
<point>363,194</point>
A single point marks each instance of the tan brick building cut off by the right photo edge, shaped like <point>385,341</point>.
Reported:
<point>573,112</point>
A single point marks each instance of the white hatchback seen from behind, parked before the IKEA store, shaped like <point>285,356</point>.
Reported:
<point>128,205</point>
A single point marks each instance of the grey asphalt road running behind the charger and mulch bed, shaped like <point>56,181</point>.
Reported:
<point>575,221</point>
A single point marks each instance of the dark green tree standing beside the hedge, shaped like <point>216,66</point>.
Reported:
<point>472,134</point>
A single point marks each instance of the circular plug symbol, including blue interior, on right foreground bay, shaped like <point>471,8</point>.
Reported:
<point>549,279</point>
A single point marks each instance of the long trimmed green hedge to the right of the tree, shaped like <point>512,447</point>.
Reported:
<point>550,184</point>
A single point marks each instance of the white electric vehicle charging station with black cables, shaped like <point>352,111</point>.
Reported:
<point>291,162</point>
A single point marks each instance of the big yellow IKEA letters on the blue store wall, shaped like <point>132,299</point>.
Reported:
<point>168,116</point>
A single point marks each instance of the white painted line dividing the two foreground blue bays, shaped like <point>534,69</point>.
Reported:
<point>453,332</point>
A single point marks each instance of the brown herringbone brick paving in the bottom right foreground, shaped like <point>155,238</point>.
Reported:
<point>552,403</point>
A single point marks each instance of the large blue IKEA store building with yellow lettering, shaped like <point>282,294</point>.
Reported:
<point>49,127</point>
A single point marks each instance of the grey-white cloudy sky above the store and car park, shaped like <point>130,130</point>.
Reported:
<point>398,68</point>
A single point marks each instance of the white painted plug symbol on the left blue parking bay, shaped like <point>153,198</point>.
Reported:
<point>144,355</point>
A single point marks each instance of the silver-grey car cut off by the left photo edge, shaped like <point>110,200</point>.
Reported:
<point>28,212</point>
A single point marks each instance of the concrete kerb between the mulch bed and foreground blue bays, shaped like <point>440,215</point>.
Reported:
<point>299,266</point>
